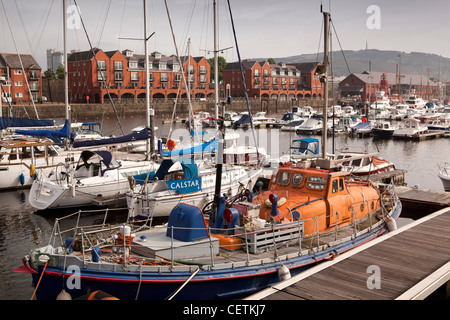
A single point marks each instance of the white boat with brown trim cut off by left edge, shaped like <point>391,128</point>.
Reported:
<point>25,159</point>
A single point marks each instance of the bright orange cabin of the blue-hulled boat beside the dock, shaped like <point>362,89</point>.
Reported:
<point>324,199</point>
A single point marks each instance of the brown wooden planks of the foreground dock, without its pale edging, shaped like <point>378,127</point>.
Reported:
<point>404,260</point>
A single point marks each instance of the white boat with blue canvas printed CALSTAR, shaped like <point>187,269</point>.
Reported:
<point>155,195</point>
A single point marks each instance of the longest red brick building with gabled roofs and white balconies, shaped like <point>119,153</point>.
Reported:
<point>124,76</point>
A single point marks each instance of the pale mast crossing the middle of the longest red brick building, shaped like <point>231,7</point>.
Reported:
<point>149,112</point>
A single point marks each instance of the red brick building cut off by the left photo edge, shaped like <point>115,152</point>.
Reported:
<point>17,78</point>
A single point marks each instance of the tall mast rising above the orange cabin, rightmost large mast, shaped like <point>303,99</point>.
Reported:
<point>324,79</point>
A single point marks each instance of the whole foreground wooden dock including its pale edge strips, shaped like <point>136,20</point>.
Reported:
<point>409,263</point>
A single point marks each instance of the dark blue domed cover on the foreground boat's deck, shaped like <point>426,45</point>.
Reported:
<point>188,223</point>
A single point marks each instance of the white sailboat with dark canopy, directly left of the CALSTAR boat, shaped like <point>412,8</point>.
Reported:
<point>97,174</point>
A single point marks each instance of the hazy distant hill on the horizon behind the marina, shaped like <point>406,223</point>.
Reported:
<point>381,61</point>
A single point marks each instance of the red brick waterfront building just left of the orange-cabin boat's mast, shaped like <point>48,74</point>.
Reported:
<point>273,81</point>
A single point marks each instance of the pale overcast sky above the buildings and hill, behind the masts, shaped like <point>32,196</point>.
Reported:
<point>265,28</point>
